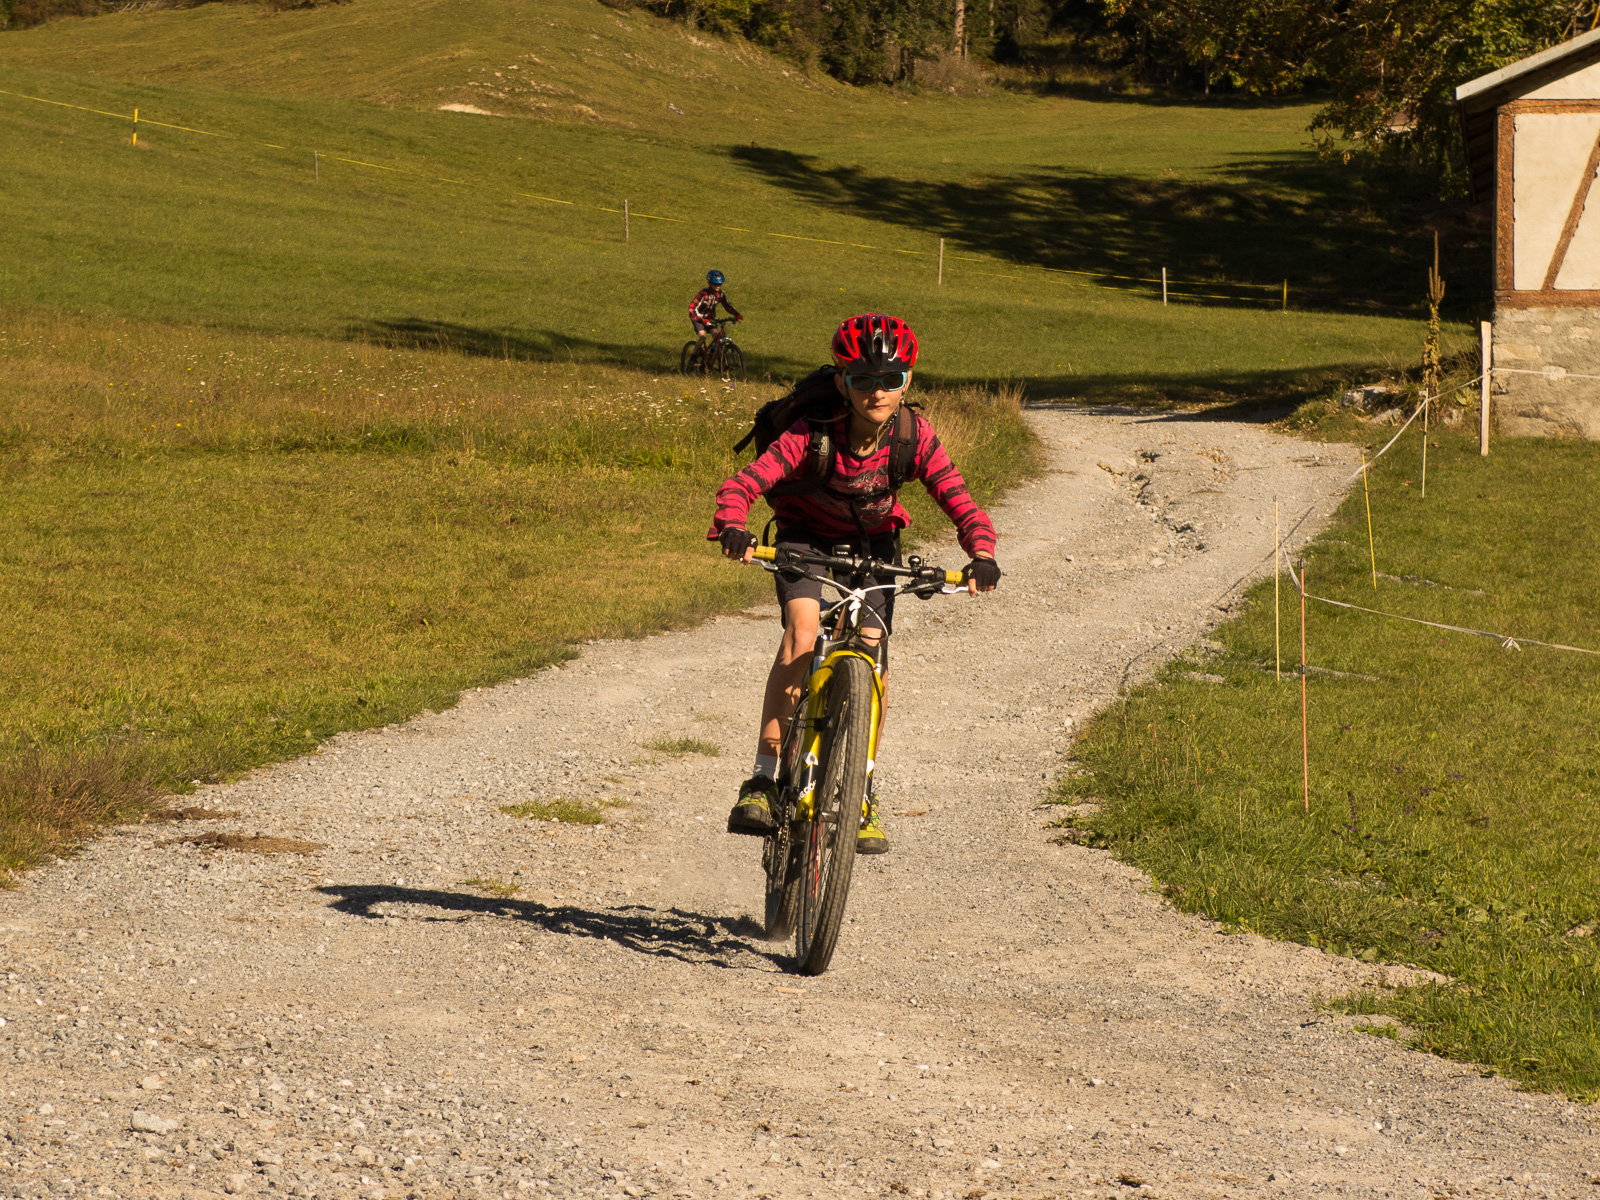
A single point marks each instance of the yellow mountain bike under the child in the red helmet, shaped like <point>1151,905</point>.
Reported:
<point>830,750</point>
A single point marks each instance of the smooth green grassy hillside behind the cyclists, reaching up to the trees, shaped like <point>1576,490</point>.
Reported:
<point>231,233</point>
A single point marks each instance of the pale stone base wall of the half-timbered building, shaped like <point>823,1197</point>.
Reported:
<point>1561,343</point>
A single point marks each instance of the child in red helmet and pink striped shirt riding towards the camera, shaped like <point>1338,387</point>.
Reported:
<point>836,481</point>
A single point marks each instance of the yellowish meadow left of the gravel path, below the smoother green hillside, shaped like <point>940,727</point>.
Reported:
<point>222,550</point>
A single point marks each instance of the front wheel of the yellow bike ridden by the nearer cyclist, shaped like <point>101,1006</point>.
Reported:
<point>828,842</point>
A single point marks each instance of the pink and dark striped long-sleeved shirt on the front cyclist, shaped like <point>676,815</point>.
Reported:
<point>857,482</point>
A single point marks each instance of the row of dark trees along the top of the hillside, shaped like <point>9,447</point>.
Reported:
<point>1385,70</point>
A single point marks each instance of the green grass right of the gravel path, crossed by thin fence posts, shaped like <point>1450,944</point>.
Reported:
<point>1455,794</point>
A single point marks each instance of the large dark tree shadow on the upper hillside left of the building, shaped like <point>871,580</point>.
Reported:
<point>1345,238</point>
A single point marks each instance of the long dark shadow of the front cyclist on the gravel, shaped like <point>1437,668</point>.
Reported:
<point>663,934</point>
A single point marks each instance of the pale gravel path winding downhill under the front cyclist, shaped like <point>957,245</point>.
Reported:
<point>1004,1018</point>
